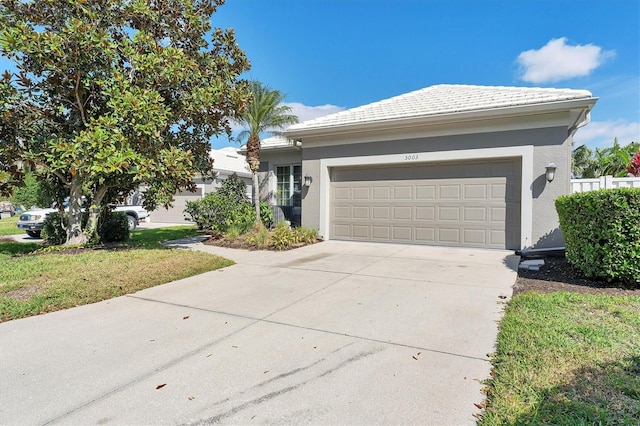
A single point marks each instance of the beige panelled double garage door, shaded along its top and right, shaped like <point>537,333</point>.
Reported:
<point>471,204</point>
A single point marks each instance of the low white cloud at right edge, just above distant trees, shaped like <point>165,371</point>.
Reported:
<point>599,134</point>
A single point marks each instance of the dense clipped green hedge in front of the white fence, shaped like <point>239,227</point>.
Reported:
<point>602,233</point>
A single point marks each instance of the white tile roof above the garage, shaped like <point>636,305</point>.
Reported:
<point>442,100</point>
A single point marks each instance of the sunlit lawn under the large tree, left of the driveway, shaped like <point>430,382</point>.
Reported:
<point>34,280</point>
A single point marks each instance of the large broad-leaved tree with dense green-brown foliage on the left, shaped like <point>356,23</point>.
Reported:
<point>113,94</point>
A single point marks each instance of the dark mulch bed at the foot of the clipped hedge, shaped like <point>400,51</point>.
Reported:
<point>558,275</point>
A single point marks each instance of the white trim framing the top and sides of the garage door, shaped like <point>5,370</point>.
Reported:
<point>525,153</point>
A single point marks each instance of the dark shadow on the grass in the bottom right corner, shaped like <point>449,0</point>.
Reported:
<point>604,394</point>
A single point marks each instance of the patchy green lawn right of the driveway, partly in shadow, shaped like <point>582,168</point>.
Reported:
<point>566,358</point>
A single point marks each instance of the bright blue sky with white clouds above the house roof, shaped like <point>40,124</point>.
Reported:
<point>330,55</point>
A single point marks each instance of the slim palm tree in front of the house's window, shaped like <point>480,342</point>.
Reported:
<point>264,114</point>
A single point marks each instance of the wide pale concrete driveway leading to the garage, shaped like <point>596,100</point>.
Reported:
<point>334,333</point>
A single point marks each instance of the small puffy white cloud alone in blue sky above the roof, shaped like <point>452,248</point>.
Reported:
<point>557,61</point>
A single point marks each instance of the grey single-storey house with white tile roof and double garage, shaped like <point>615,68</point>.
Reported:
<point>451,165</point>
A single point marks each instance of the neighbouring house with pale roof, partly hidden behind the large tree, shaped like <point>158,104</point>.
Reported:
<point>226,161</point>
